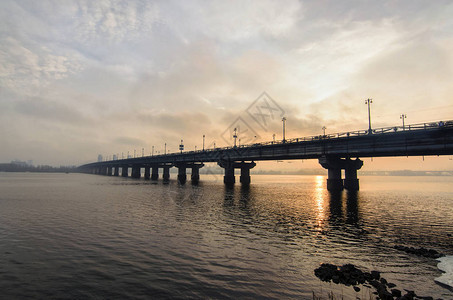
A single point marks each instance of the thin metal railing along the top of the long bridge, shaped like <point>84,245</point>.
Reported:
<point>348,134</point>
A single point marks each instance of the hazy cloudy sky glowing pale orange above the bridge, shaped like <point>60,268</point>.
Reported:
<point>82,78</point>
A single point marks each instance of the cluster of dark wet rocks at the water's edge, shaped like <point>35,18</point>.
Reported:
<point>350,275</point>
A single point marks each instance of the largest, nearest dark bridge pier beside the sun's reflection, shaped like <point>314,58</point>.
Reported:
<point>334,165</point>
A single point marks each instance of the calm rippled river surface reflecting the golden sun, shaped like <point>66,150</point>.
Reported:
<point>77,236</point>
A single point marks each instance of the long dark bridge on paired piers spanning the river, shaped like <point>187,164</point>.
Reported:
<point>335,152</point>
